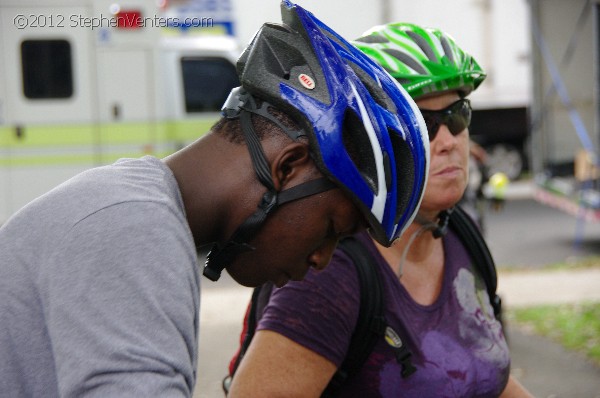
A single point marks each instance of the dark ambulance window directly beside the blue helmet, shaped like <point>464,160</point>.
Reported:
<point>207,83</point>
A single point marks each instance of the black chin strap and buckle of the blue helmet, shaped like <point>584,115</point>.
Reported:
<point>221,255</point>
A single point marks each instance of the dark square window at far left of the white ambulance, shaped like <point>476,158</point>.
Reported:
<point>47,69</point>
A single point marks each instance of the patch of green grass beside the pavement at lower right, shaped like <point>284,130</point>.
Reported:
<point>575,326</point>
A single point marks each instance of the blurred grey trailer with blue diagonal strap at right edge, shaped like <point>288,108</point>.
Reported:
<point>565,107</point>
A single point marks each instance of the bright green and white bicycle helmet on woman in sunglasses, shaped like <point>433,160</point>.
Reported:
<point>423,60</point>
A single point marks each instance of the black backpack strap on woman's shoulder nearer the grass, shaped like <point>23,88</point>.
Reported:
<point>470,235</point>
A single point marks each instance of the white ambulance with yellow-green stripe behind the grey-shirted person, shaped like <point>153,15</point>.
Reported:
<point>83,83</point>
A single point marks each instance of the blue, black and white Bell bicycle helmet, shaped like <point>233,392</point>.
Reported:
<point>366,134</point>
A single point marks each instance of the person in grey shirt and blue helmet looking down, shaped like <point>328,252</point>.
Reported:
<point>99,281</point>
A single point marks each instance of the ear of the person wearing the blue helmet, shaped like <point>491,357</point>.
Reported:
<point>292,162</point>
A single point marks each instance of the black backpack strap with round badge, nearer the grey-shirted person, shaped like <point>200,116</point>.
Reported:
<point>371,324</point>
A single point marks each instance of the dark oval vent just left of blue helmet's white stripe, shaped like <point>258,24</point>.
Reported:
<point>356,141</point>
